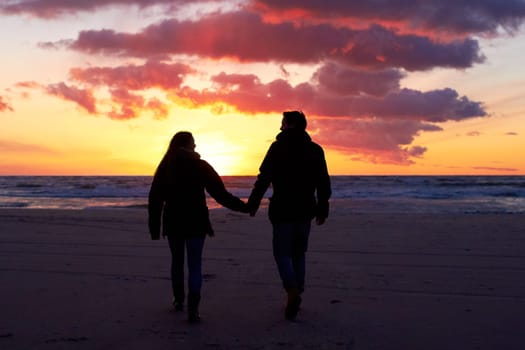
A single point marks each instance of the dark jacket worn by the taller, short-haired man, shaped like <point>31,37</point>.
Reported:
<point>296,168</point>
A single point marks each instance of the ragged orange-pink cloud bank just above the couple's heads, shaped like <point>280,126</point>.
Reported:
<point>365,113</point>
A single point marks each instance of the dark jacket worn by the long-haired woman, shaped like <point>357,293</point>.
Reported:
<point>177,194</point>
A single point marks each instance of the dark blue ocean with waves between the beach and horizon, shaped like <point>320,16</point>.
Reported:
<point>361,194</point>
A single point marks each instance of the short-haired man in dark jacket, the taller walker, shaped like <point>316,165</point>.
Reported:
<point>296,168</point>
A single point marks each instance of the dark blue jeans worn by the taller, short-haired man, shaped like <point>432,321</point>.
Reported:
<point>290,243</point>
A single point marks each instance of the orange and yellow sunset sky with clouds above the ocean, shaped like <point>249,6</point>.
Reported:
<point>98,87</point>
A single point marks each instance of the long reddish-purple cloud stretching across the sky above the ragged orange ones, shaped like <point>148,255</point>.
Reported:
<point>245,37</point>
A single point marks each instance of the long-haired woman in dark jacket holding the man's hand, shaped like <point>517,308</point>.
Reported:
<point>177,195</point>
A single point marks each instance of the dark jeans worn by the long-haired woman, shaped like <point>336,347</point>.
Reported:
<point>194,247</point>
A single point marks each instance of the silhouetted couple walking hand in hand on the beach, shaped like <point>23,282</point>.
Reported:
<point>294,166</point>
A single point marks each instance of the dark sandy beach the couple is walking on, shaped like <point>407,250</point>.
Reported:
<point>92,279</point>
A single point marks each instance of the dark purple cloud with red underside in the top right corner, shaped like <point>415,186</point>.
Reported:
<point>459,16</point>
